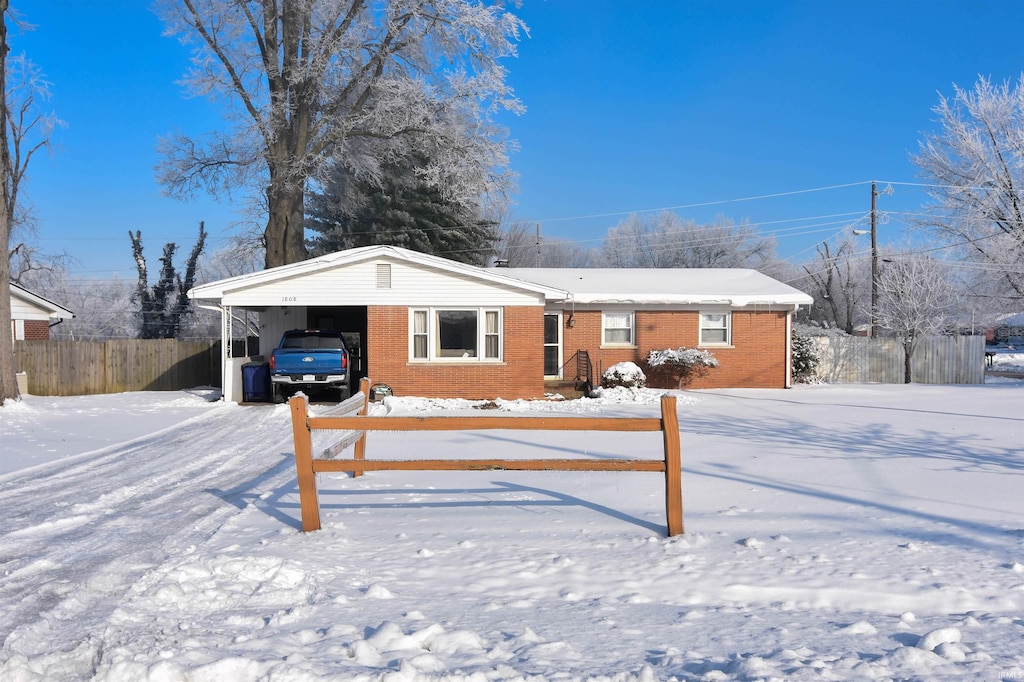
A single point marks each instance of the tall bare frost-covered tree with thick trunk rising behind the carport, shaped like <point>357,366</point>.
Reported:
<point>361,83</point>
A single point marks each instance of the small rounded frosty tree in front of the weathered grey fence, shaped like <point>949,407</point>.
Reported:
<point>918,297</point>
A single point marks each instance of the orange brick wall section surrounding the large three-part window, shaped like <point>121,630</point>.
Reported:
<point>520,376</point>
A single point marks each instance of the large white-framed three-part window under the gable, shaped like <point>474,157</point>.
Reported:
<point>455,334</point>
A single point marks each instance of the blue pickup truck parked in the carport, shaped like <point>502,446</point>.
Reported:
<point>312,361</point>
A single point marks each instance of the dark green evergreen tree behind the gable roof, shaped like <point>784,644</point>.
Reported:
<point>401,210</point>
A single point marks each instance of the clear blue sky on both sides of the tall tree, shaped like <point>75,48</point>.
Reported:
<point>632,107</point>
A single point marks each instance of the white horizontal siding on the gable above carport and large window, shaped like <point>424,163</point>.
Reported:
<point>357,285</point>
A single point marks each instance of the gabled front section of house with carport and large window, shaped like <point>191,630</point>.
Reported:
<point>372,295</point>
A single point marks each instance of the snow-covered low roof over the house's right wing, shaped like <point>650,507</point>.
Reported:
<point>739,287</point>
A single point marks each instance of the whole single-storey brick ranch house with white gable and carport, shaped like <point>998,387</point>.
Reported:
<point>432,327</point>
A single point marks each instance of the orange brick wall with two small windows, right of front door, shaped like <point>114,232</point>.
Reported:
<point>757,359</point>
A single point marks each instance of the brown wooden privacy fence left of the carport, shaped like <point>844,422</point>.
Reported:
<point>83,368</point>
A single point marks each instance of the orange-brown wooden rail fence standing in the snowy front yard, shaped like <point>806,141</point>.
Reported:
<point>352,417</point>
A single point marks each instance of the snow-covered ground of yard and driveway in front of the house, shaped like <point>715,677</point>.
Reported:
<point>852,532</point>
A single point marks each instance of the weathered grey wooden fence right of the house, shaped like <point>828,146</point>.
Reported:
<point>937,360</point>
